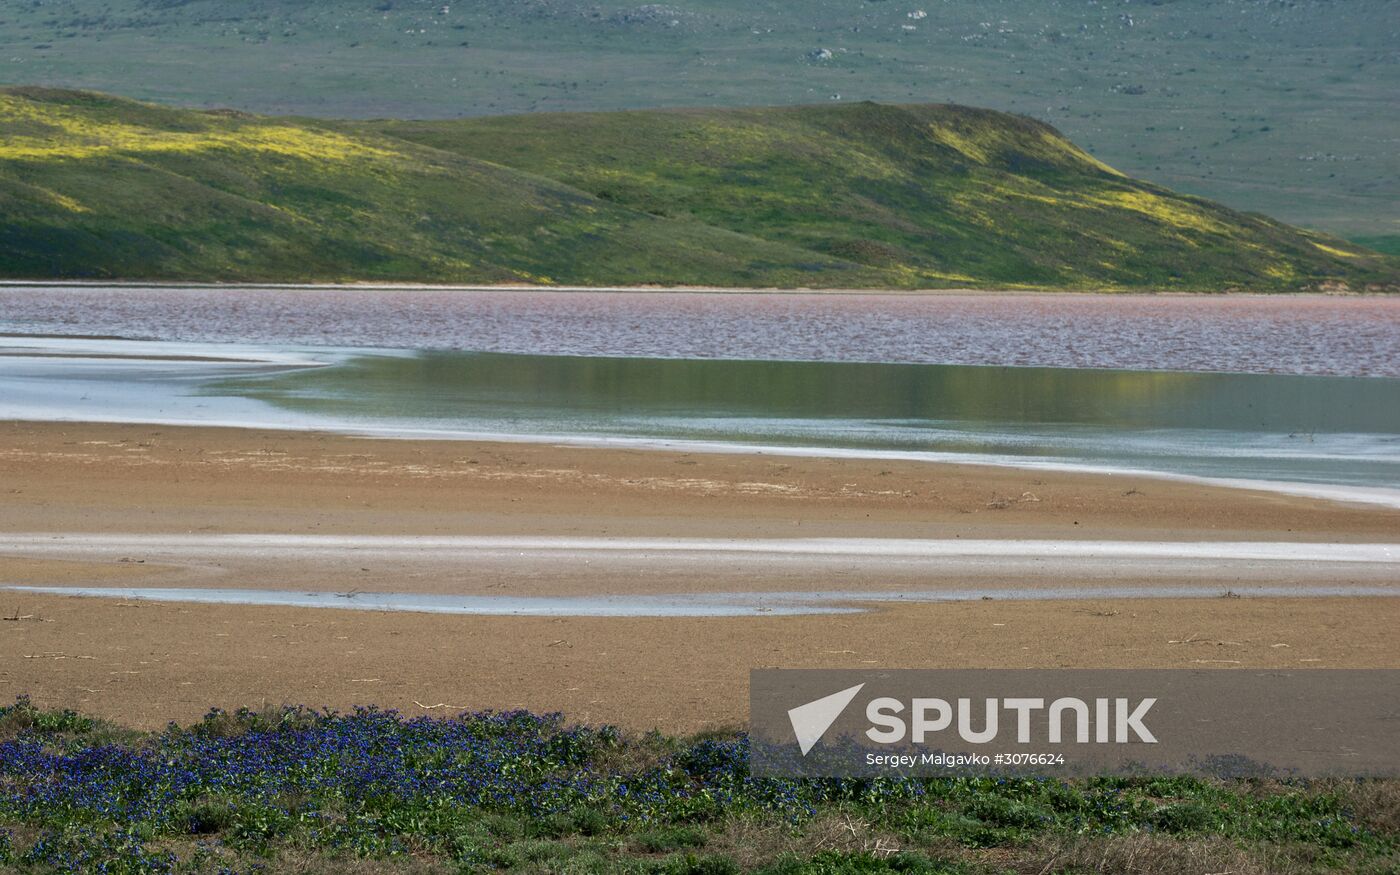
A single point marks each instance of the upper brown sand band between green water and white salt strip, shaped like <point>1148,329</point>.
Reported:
<point>97,468</point>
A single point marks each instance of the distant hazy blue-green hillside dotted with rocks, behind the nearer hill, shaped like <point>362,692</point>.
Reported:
<point>1276,107</point>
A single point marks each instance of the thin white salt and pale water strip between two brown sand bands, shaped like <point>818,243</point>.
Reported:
<point>659,576</point>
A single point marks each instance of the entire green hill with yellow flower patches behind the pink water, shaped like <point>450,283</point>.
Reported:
<point>822,197</point>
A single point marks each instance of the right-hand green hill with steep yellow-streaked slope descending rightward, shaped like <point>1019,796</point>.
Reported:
<point>930,194</point>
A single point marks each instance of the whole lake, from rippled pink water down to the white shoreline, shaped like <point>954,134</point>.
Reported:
<point>1286,391</point>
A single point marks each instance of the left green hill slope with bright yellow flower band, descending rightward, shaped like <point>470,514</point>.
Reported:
<point>97,187</point>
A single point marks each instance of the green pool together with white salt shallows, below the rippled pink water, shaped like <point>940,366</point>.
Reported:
<point>1319,436</point>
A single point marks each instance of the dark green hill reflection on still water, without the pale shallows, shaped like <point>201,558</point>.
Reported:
<point>440,386</point>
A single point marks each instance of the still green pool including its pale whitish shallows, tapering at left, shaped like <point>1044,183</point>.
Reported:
<point>1265,428</point>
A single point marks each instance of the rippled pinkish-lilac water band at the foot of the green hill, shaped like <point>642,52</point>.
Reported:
<point>1277,335</point>
